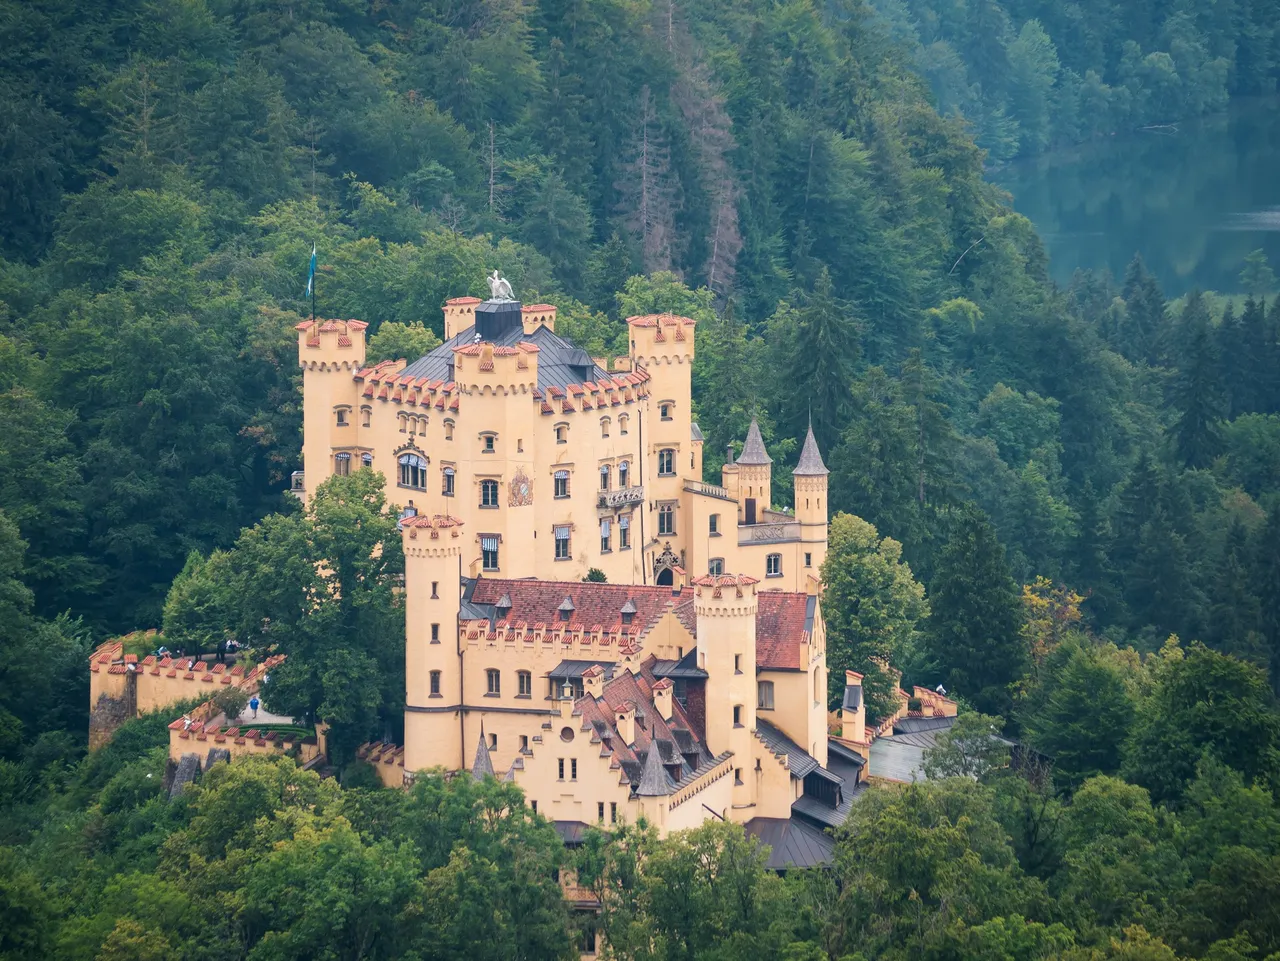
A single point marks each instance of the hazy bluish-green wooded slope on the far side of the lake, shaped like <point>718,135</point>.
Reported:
<point>1032,74</point>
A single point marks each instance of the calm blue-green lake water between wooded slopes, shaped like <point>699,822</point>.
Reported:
<point>1195,202</point>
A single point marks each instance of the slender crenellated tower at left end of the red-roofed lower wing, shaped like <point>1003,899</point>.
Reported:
<point>433,675</point>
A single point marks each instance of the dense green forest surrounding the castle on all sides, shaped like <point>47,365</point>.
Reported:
<point>1060,502</point>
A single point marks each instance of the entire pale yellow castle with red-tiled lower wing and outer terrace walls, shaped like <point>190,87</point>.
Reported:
<point>689,685</point>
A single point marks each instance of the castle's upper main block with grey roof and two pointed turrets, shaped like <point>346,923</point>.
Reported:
<point>559,463</point>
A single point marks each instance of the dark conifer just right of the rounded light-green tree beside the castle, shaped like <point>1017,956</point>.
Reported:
<point>975,628</point>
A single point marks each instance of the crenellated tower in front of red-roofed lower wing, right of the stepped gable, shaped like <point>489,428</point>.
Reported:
<point>726,607</point>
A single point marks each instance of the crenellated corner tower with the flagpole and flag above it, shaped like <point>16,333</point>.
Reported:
<point>330,353</point>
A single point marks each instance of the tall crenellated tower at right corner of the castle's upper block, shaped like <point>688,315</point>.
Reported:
<point>664,345</point>
